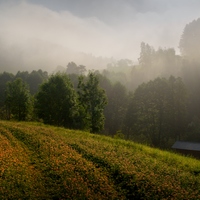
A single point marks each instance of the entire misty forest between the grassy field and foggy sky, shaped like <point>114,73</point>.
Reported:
<point>154,102</point>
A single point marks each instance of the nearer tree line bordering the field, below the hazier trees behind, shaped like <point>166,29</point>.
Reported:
<point>155,113</point>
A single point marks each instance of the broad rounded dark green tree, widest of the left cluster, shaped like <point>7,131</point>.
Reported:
<point>56,102</point>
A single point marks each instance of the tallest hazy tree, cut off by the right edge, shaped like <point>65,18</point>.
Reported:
<point>190,49</point>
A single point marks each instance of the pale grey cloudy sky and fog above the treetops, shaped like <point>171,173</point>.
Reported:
<point>51,32</point>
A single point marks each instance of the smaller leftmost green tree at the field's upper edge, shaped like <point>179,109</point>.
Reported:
<point>17,99</point>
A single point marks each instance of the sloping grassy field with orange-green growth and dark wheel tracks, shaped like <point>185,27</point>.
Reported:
<point>45,162</point>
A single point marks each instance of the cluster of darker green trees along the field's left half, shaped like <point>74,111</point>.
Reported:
<point>55,102</point>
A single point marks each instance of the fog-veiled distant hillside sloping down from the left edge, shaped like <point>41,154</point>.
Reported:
<point>35,54</point>
